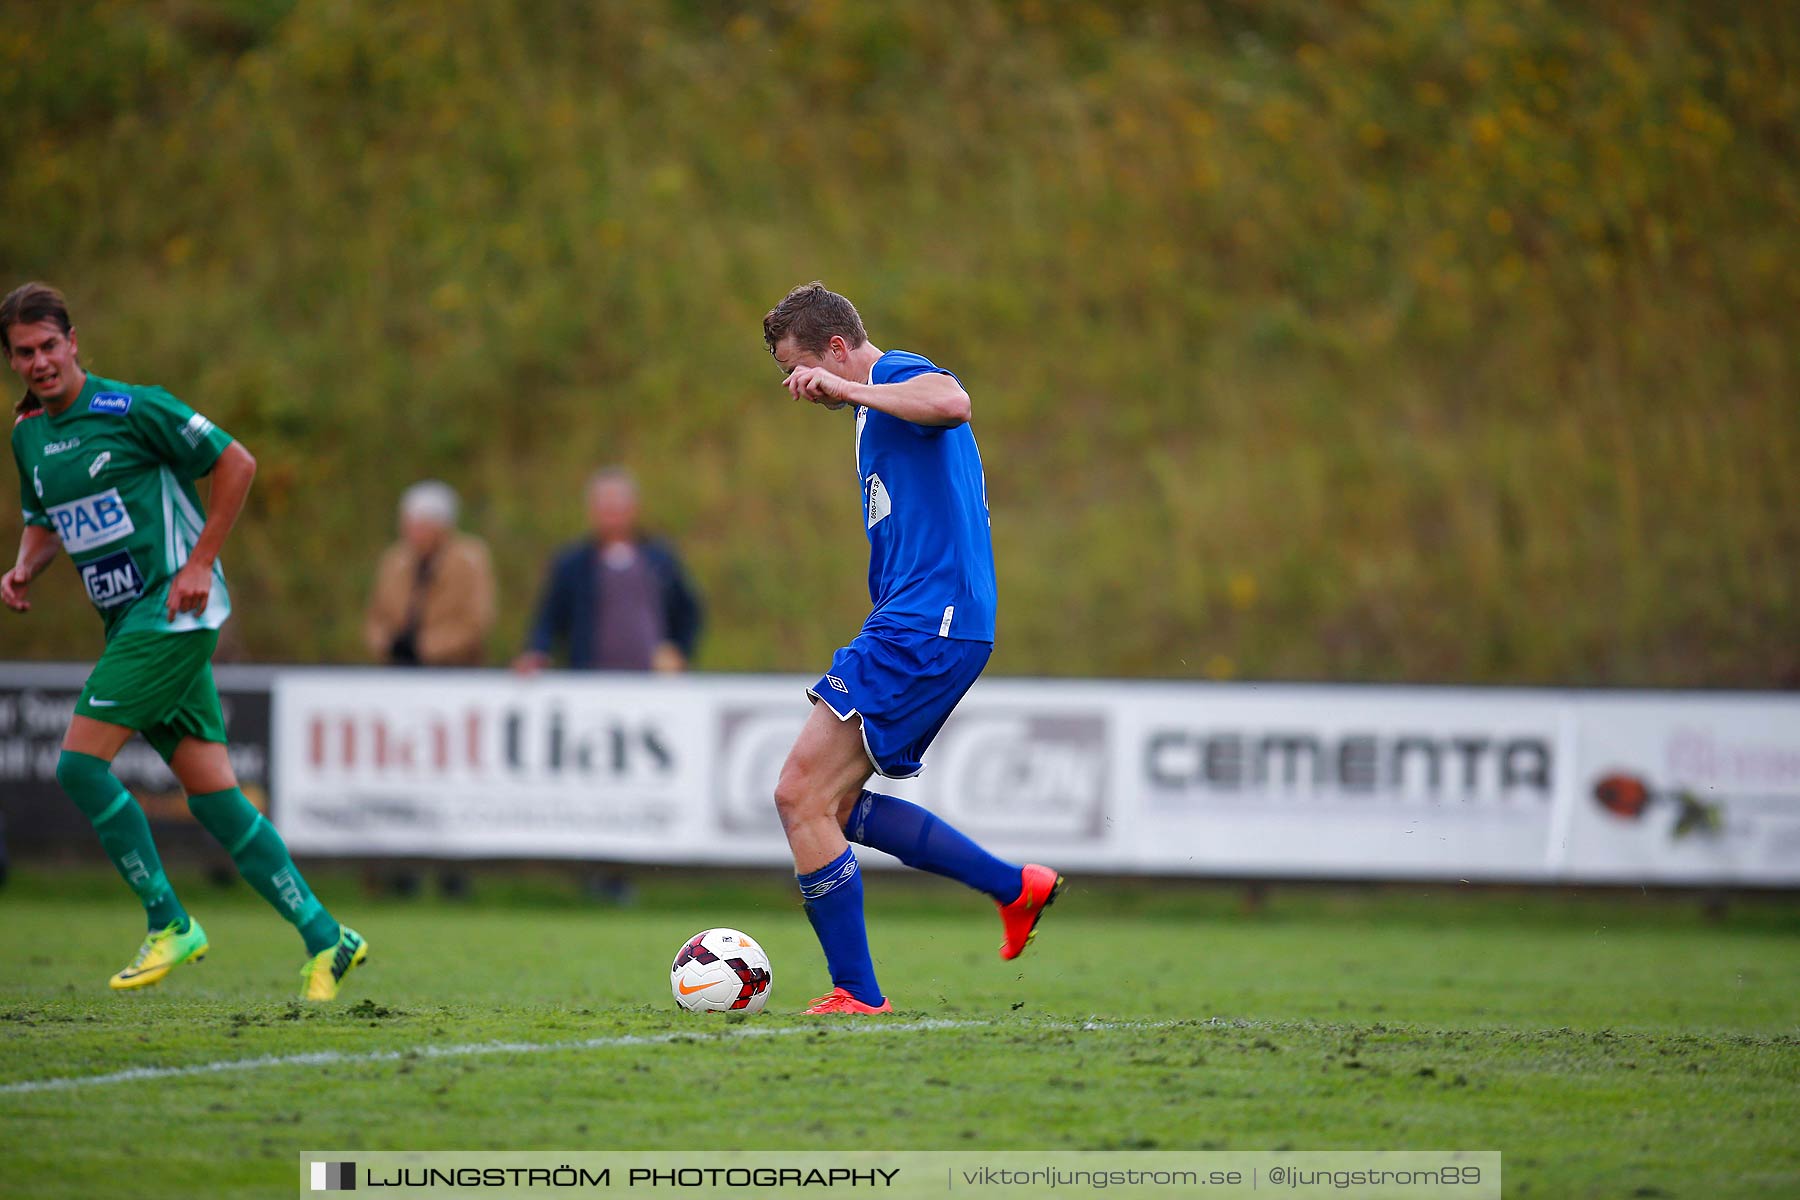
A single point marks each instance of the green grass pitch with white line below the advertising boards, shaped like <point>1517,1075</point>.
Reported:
<point>1608,1046</point>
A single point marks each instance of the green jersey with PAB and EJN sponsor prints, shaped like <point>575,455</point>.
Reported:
<point>114,478</point>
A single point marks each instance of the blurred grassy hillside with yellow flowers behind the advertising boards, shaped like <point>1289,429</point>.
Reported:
<point>1367,341</point>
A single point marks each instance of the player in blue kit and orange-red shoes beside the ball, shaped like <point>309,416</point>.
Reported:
<point>930,634</point>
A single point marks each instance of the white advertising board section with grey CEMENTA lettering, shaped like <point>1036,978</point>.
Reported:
<point>1311,782</point>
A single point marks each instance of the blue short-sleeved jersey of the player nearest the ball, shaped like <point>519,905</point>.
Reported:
<point>926,508</point>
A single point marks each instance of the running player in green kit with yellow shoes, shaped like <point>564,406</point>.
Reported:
<point>107,472</point>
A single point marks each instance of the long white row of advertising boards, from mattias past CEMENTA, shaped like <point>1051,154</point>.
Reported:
<point>1093,776</point>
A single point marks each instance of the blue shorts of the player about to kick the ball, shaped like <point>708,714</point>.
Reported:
<point>904,686</point>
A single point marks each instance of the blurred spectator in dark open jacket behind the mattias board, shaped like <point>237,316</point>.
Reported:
<point>616,602</point>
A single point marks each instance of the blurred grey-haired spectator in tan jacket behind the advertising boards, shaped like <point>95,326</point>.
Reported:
<point>433,600</point>
